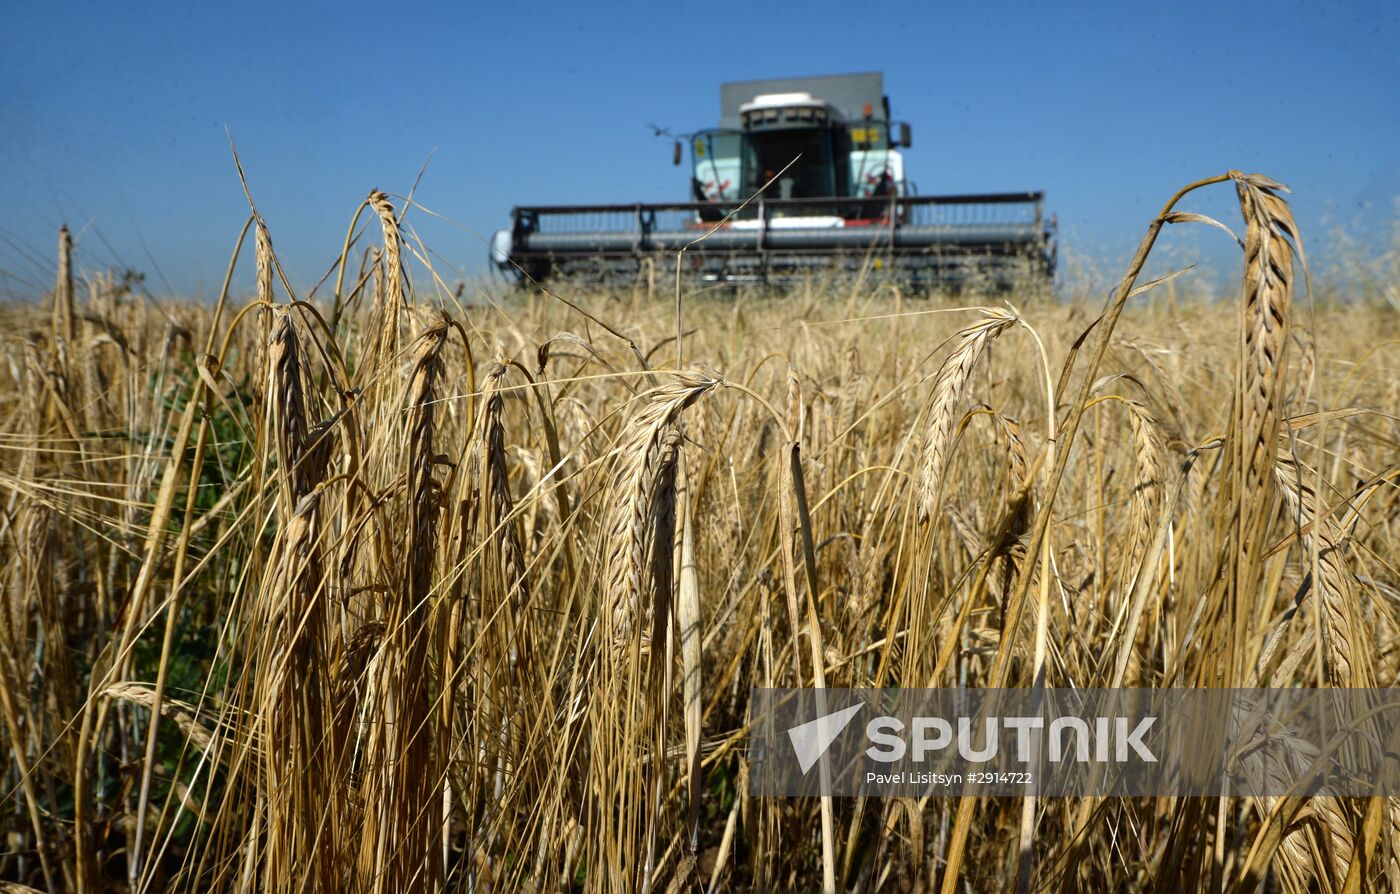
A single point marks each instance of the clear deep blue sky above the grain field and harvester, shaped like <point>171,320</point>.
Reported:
<point>115,113</point>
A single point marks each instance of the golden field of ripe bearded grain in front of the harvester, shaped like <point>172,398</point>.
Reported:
<point>384,590</point>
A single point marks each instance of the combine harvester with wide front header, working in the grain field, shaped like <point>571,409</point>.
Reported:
<point>845,205</point>
